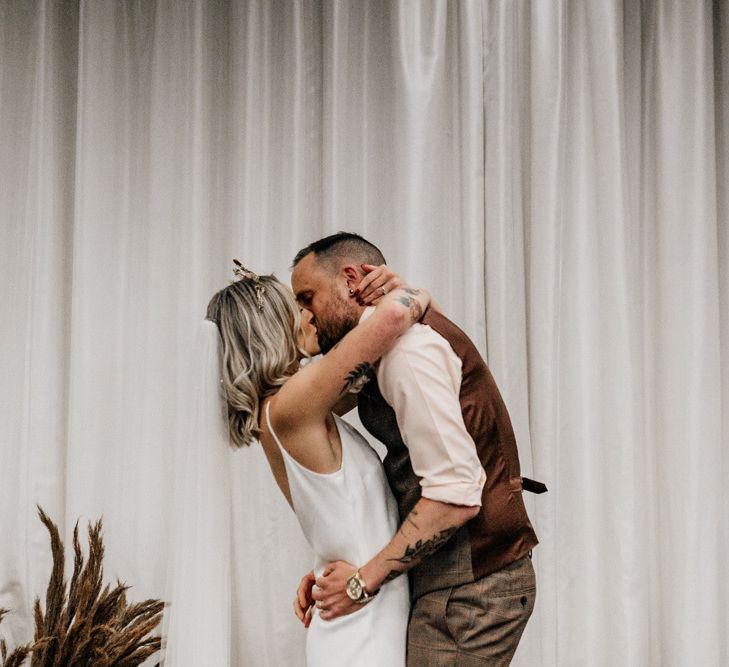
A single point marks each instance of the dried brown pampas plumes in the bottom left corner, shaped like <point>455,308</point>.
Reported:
<point>86,624</point>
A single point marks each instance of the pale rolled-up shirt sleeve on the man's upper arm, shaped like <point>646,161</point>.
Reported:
<point>420,378</point>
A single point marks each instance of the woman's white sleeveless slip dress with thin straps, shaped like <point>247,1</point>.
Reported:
<point>351,515</point>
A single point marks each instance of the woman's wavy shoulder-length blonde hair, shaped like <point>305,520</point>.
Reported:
<point>259,348</point>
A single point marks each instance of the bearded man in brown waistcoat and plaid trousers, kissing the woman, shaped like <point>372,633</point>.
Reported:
<point>452,464</point>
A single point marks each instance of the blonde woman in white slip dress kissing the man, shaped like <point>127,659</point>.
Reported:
<point>327,472</point>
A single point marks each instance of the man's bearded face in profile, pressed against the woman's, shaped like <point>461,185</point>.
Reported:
<point>324,292</point>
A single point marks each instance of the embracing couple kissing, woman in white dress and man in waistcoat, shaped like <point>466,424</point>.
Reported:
<point>424,558</point>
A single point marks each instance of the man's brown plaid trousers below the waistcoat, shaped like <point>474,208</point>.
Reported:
<point>477,623</point>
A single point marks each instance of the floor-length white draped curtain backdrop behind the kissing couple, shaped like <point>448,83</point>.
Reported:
<point>555,172</point>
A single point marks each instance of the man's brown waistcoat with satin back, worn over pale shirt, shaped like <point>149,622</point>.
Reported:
<point>501,532</point>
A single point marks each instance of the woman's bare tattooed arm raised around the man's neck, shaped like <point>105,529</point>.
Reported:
<point>312,392</point>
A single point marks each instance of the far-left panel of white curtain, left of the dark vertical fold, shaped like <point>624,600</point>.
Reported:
<point>38,50</point>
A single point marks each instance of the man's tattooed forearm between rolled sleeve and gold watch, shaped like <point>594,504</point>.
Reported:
<point>428,527</point>
